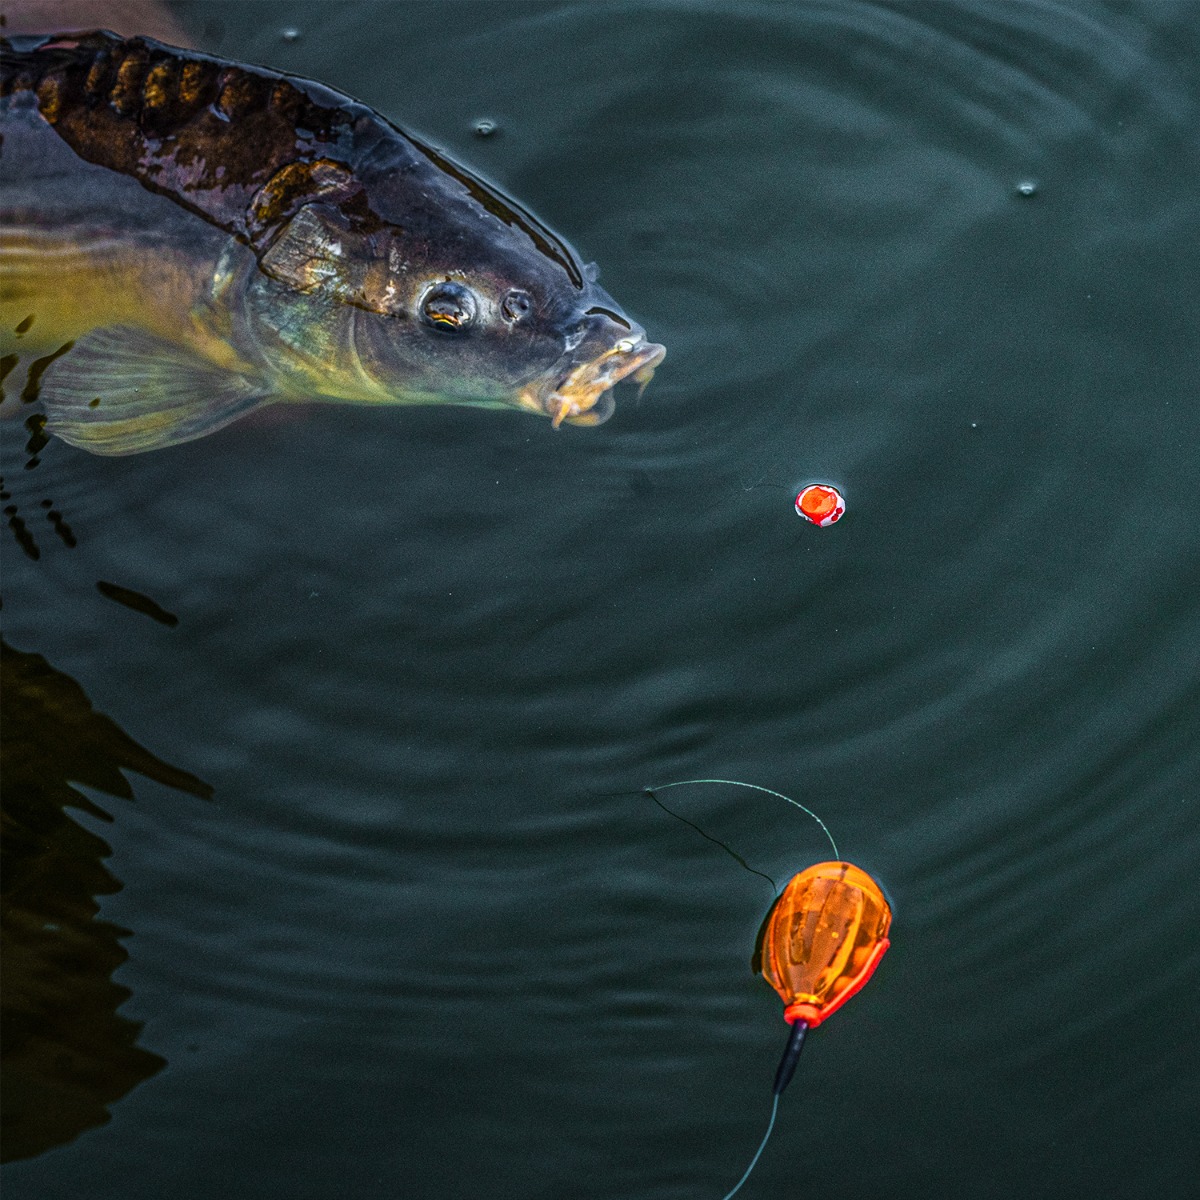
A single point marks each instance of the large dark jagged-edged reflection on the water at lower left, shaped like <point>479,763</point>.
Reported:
<point>68,1053</point>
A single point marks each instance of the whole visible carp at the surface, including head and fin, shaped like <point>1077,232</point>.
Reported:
<point>184,239</point>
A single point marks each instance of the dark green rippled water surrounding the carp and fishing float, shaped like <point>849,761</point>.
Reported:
<point>428,939</point>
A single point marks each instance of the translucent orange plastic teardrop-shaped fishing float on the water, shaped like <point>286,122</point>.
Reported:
<point>824,939</point>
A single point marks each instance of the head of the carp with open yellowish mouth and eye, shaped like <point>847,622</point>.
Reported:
<point>410,280</point>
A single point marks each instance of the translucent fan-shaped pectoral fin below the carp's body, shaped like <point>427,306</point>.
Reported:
<point>121,391</point>
